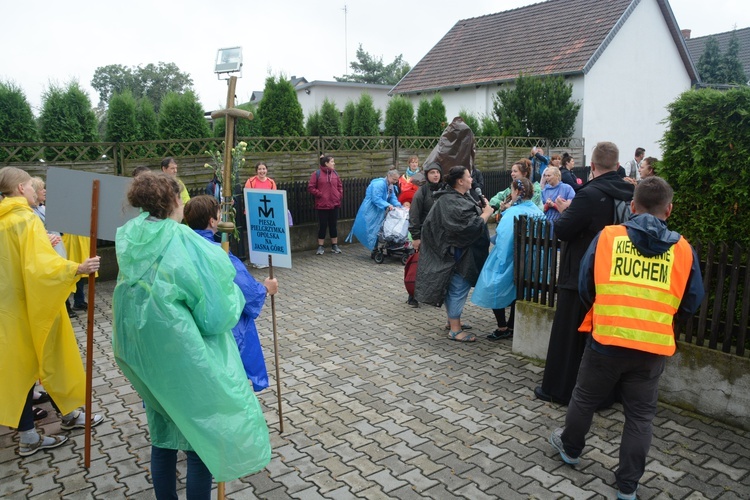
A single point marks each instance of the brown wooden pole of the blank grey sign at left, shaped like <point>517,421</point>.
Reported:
<point>90,322</point>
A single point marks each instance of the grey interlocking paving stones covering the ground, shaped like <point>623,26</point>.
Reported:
<point>378,403</point>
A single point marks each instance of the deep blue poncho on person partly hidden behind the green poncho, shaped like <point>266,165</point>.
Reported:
<point>245,333</point>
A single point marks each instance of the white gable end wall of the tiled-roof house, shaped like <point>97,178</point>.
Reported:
<point>627,90</point>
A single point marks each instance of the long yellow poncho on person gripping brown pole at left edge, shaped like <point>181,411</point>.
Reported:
<point>36,337</point>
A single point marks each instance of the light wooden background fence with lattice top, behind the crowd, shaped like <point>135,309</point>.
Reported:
<point>288,158</point>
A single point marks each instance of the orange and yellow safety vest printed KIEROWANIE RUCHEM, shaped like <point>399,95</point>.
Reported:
<point>636,296</point>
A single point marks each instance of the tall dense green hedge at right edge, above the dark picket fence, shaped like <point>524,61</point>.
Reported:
<point>706,151</point>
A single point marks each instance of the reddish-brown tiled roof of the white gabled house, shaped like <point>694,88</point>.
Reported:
<point>559,37</point>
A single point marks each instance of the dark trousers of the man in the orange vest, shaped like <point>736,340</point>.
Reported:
<point>639,379</point>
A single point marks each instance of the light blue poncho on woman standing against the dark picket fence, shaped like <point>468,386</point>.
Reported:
<point>495,288</point>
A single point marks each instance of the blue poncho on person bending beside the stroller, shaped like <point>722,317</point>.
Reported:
<point>371,212</point>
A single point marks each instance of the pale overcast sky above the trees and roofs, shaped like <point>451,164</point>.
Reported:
<point>52,41</point>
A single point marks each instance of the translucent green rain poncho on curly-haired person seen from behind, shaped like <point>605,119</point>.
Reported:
<point>174,307</point>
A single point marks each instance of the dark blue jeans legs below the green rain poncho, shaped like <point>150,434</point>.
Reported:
<point>164,475</point>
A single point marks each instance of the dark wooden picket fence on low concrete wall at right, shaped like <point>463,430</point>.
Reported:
<point>721,322</point>
